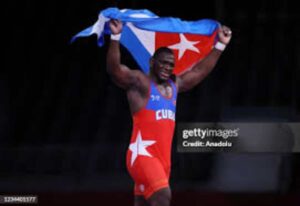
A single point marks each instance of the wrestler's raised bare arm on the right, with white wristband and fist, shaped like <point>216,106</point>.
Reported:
<point>201,69</point>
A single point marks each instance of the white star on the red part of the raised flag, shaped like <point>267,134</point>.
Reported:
<point>184,45</point>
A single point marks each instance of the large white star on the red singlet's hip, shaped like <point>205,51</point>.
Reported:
<point>139,147</point>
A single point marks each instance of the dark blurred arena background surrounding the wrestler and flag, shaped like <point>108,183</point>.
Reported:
<point>65,127</point>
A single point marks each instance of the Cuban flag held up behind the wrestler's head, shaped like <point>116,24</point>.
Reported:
<point>144,32</point>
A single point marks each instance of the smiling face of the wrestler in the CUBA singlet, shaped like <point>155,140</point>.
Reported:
<point>163,66</point>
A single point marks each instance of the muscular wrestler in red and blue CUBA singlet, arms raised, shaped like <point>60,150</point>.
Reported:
<point>152,101</point>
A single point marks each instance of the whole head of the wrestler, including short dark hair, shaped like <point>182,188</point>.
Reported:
<point>162,64</point>
